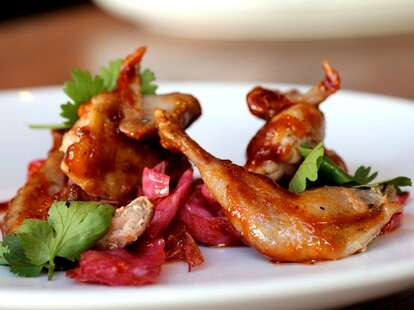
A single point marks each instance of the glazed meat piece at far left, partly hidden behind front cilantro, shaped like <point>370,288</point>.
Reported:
<point>35,197</point>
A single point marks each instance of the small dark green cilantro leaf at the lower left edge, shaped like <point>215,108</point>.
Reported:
<point>19,263</point>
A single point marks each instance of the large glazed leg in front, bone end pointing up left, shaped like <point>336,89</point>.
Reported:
<point>320,224</point>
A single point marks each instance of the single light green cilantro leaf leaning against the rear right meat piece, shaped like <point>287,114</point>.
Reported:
<point>308,170</point>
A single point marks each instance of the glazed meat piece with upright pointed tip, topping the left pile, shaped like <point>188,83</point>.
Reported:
<point>109,146</point>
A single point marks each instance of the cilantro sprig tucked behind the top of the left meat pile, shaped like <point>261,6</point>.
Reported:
<point>83,86</point>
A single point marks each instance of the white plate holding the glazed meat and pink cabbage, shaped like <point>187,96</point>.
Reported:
<point>363,128</point>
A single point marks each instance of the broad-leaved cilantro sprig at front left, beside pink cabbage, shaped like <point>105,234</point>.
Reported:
<point>71,228</point>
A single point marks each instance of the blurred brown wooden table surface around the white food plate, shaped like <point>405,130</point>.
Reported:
<point>42,50</point>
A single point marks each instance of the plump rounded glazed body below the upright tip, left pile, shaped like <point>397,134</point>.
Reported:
<point>100,159</point>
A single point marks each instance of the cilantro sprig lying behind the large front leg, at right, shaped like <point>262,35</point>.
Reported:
<point>316,167</point>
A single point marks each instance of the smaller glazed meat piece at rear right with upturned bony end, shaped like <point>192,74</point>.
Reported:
<point>292,119</point>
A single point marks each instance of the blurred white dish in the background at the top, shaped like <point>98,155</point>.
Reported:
<point>267,19</point>
